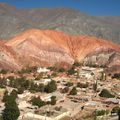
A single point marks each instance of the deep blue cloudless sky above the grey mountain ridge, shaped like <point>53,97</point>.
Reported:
<point>92,7</point>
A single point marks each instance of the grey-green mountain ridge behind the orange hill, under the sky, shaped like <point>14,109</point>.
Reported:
<point>14,21</point>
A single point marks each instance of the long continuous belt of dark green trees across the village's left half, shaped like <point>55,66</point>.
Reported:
<point>22,84</point>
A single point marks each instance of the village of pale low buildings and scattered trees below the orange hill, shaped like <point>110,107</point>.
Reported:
<point>81,93</point>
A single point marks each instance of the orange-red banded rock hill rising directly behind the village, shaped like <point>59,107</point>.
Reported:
<point>48,47</point>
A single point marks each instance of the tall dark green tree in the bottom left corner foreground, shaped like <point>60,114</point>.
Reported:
<point>11,111</point>
